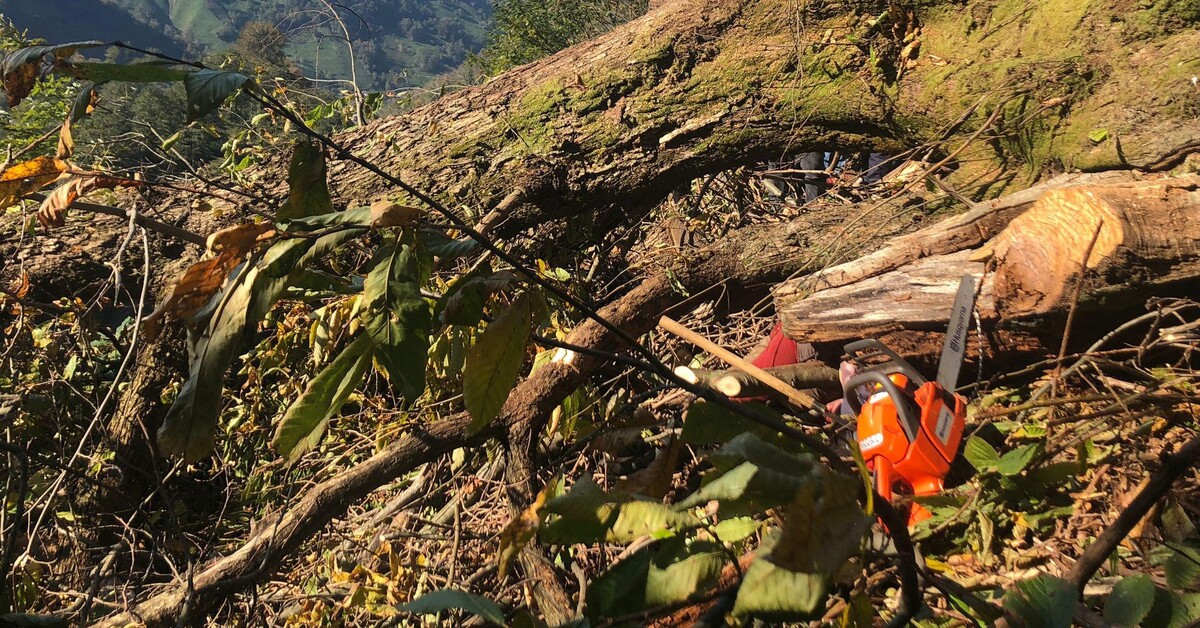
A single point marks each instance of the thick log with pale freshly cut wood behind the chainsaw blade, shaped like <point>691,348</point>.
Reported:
<point>1145,241</point>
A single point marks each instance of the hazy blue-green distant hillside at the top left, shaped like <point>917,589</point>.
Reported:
<point>398,43</point>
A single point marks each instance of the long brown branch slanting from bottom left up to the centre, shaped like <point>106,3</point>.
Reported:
<point>754,255</point>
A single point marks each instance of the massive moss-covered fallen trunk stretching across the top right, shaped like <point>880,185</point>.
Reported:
<point>607,129</point>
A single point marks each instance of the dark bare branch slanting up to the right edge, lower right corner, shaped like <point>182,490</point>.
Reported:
<point>1174,466</point>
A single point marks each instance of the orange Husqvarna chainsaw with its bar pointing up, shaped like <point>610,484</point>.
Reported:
<point>909,428</point>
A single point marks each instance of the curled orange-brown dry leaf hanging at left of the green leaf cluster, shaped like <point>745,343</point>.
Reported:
<point>226,249</point>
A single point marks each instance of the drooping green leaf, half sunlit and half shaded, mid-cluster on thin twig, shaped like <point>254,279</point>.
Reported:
<point>397,318</point>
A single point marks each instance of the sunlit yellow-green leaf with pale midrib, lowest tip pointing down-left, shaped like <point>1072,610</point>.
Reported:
<point>307,420</point>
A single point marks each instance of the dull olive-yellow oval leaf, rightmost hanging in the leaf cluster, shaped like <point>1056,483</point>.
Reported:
<point>494,363</point>
